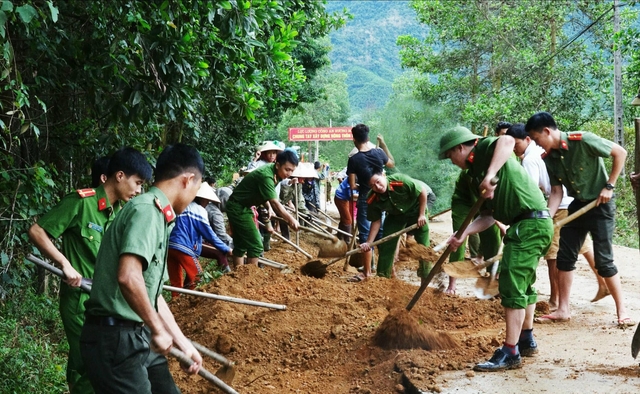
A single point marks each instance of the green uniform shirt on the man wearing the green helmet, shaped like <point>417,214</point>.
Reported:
<point>516,193</point>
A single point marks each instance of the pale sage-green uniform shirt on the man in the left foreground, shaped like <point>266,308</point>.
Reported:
<point>142,229</point>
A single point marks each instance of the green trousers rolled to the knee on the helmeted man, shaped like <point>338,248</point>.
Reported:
<point>524,244</point>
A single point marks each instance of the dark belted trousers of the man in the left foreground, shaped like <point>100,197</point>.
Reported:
<point>119,360</point>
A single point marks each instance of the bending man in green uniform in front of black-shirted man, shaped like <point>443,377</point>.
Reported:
<point>404,199</point>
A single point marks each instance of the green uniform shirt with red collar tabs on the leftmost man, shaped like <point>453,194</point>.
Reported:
<point>81,221</point>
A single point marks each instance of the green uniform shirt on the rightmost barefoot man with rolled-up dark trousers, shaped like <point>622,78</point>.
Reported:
<point>578,164</point>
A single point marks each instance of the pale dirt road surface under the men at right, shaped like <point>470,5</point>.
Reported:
<point>589,354</point>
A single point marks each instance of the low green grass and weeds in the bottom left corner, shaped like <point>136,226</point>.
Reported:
<point>33,348</point>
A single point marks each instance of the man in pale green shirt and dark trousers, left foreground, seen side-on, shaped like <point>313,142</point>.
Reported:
<point>129,327</point>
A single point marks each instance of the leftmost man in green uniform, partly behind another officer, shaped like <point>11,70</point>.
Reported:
<point>81,219</point>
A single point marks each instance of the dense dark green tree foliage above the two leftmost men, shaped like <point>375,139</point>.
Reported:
<point>215,74</point>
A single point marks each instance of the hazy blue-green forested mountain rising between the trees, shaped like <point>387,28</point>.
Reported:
<point>365,49</point>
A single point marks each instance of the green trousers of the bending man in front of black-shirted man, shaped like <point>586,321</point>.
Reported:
<point>387,250</point>
